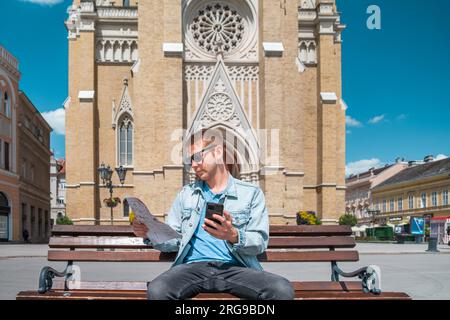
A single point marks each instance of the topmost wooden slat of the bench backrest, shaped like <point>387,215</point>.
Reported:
<point>127,231</point>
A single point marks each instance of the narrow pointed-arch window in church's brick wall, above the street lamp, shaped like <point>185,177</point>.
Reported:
<point>125,141</point>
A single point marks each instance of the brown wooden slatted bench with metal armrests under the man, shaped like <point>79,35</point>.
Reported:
<point>330,244</point>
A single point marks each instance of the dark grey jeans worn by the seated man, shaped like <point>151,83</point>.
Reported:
<point>185,281</point>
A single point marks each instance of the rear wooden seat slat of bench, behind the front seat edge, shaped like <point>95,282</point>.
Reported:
<point>142,286</point>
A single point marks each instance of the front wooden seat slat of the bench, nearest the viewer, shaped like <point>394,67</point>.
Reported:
<point>111,295</point>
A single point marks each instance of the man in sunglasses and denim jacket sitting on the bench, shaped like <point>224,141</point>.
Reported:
<point>216,257</point>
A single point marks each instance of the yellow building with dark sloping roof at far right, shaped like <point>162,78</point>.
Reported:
<point>418,191</point>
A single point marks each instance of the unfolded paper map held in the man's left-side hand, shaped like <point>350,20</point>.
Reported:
<point>159,232</point>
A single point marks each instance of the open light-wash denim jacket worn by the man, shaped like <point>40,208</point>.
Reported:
<point>245,203</point>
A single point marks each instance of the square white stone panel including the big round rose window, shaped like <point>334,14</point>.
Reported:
<point>231,23</point>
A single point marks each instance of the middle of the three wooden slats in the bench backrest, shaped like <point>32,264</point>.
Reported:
<point>137,243</point>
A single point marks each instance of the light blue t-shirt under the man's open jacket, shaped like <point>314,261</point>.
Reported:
<point>205,247</point>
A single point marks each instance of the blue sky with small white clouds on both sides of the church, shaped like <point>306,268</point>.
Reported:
<point>396,80</point>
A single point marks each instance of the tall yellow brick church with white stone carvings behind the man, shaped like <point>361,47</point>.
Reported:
<point>142,77</point>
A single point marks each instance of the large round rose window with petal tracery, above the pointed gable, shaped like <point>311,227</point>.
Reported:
<point>217,26</point>
